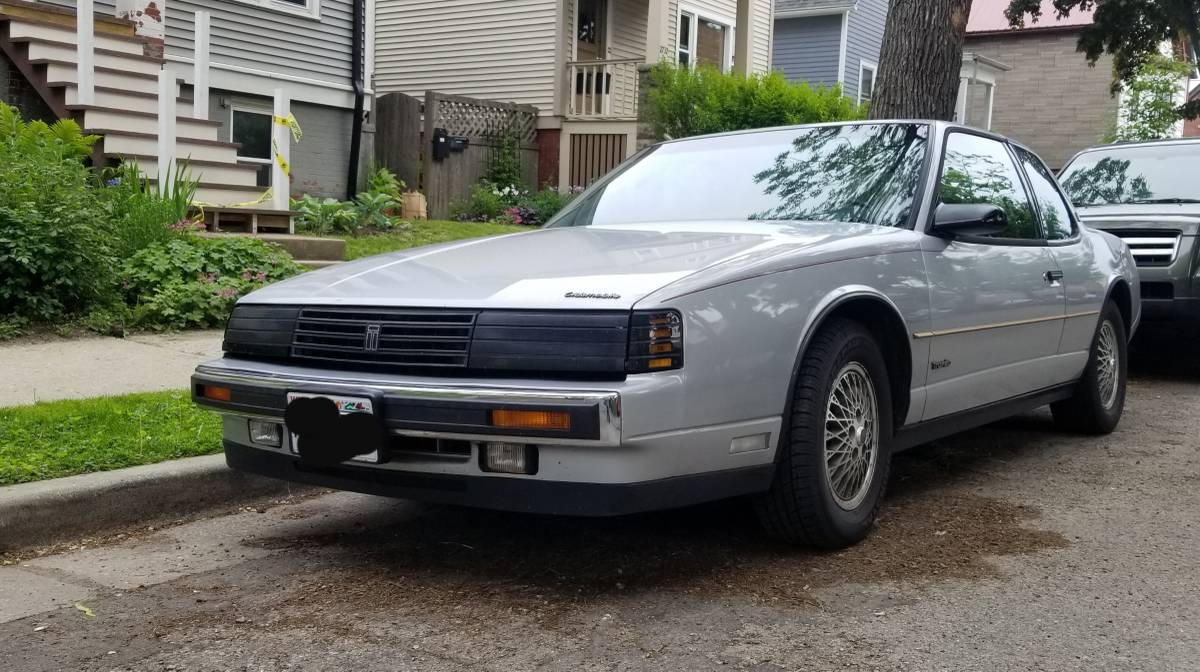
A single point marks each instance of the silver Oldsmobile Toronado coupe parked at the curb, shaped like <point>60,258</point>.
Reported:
<point>769,314</point>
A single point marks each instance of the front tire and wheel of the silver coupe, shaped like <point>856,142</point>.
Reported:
<point>836,452</point>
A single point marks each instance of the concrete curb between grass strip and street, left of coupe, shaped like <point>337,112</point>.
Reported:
<point>58,511</point>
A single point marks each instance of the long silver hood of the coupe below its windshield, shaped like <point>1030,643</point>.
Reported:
<point>598,267</point>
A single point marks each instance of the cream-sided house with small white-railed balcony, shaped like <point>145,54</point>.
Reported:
<point>579,62</point>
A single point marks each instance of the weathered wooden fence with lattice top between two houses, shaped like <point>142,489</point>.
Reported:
<point>405,131</point>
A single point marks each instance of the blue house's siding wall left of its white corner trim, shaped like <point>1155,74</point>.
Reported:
<point>807,49</point>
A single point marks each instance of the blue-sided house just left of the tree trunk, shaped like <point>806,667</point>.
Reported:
<point>827,43</point>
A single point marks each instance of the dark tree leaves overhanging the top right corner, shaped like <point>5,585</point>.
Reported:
<point>1133,33</point>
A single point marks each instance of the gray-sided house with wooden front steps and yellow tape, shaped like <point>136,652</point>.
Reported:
<point>257,58</point>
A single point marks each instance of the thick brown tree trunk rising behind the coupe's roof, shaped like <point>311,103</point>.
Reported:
<point>921,61</point>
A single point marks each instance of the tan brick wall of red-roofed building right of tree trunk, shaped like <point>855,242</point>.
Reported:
<point>1052,100</point>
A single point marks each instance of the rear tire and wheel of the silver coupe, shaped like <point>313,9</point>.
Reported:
<point>1100,397</point>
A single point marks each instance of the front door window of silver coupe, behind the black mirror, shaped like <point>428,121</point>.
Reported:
<point>980,170</point>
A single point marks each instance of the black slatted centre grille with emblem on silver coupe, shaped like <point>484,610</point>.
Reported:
<point>399,338</point>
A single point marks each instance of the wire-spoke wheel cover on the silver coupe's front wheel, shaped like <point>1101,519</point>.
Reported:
<point>851,436</point>
